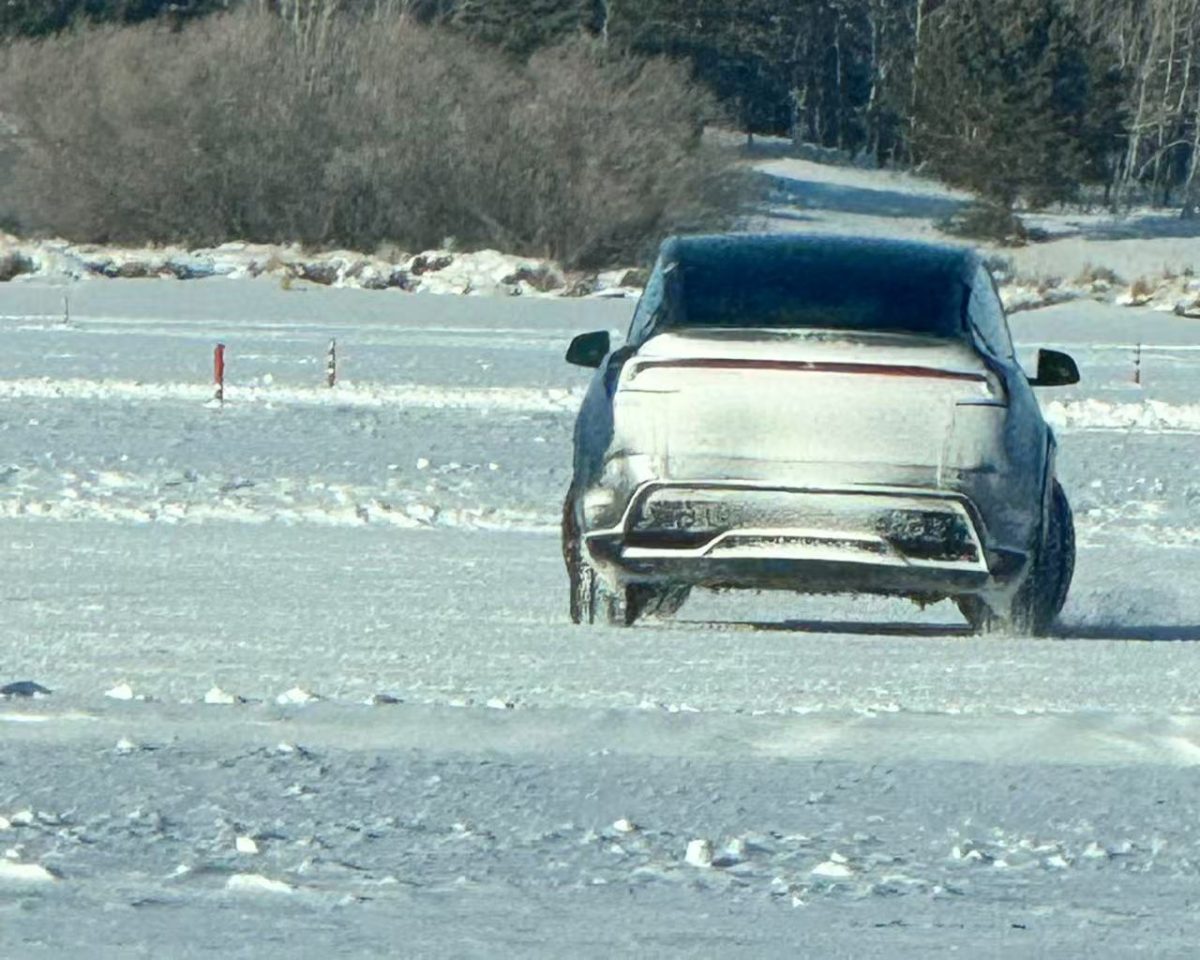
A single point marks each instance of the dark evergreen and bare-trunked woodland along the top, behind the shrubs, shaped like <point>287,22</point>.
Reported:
<point>1067,92</point>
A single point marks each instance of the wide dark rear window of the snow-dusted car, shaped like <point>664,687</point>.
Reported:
<point>836,289</point>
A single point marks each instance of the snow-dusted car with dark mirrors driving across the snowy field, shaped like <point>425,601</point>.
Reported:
<point>817,415</point>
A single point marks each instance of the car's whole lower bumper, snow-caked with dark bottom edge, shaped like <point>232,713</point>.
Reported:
<point>890,541</point>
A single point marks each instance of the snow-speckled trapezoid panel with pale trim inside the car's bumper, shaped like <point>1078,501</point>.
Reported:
<point>716,521</point>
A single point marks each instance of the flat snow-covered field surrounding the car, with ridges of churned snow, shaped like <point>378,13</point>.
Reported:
<point>314,691</point>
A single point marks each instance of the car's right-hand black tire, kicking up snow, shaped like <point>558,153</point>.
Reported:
<point>1042,597</point>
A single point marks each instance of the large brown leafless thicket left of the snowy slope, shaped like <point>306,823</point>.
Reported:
<point>242,128</point>
